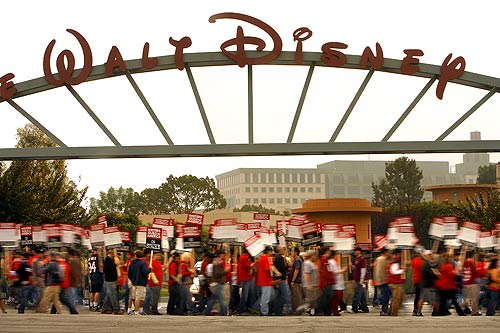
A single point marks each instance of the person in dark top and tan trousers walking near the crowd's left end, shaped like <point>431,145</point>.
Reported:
<point>53,282</point>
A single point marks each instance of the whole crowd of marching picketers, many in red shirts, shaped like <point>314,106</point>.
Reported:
<point>279,282</point>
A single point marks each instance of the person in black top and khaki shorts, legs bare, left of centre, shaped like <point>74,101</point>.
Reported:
<point>138,272</point>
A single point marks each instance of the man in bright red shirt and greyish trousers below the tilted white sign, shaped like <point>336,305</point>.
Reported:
<point>265,279</point>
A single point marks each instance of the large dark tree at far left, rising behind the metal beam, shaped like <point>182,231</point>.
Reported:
<point>32,192</point>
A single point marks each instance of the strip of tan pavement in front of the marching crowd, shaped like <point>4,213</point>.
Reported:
<point>367,322</point>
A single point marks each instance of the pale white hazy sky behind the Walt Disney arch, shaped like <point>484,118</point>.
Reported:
<point>437,27</point>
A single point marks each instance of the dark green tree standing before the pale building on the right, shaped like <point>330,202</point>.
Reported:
<point>401,185</point>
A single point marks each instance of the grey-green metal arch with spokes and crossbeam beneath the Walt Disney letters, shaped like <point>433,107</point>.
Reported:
<point>310,59</point>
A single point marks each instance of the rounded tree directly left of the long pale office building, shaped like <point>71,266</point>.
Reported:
<point>189,193</point>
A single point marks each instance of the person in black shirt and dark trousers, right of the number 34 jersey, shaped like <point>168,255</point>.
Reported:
<point>111,304</point>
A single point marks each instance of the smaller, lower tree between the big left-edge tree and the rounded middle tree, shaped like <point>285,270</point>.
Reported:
<point>121,200</point>
